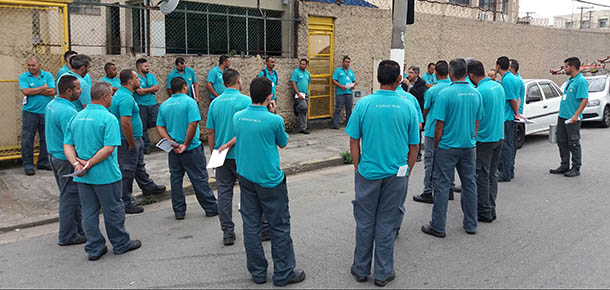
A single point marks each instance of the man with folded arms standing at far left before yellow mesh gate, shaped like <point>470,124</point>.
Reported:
<point>38,88</point>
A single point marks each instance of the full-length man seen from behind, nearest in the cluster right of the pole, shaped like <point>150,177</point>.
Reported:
<point>457,112</point>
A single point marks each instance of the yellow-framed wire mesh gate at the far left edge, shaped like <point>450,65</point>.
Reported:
<point>29,28</point>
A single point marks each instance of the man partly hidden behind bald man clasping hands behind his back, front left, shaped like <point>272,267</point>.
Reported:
<point>58,114</point>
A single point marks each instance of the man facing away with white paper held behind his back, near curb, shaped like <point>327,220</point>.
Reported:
<point>178,121</point>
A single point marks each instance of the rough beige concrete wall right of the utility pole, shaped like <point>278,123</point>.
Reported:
<point>538,49</point>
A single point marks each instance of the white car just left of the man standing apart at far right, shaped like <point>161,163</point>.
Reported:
<point>542,98</point>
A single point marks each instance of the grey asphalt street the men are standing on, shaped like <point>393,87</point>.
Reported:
<point>551,232</point>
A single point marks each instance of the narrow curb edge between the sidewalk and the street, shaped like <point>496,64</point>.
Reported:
<point>188,190</point>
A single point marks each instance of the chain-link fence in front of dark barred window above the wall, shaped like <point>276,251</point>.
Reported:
<point>247,28</point>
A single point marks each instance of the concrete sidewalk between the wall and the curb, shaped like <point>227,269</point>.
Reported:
<point>27,201</point>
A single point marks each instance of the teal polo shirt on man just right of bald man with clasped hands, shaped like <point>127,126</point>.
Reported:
<point>123,105</point>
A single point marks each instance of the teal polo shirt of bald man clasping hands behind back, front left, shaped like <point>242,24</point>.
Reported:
<point>89,131</point>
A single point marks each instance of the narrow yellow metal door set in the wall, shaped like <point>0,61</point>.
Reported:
<point>321,55</point>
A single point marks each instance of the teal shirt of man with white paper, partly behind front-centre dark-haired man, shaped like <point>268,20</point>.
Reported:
<point>220,116</point>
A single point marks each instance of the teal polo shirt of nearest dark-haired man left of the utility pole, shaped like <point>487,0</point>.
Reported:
<point>258,133</point>
